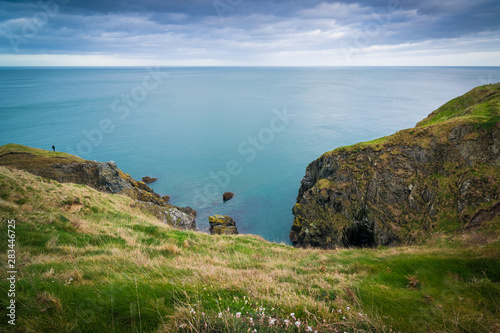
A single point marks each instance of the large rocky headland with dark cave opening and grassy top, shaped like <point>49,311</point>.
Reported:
<point>441,176</point>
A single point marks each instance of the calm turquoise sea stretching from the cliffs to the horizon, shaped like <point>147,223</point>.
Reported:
<point>204,131</point>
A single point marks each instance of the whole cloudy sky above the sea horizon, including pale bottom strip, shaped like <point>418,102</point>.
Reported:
<point>249,33</point>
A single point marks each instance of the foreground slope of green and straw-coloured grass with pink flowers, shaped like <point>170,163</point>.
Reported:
<point>93,262</point>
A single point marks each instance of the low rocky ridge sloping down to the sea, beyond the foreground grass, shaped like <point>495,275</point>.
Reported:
<point>105,177</point>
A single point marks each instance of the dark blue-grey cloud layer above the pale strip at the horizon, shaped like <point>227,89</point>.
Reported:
<point>245,28</point>
